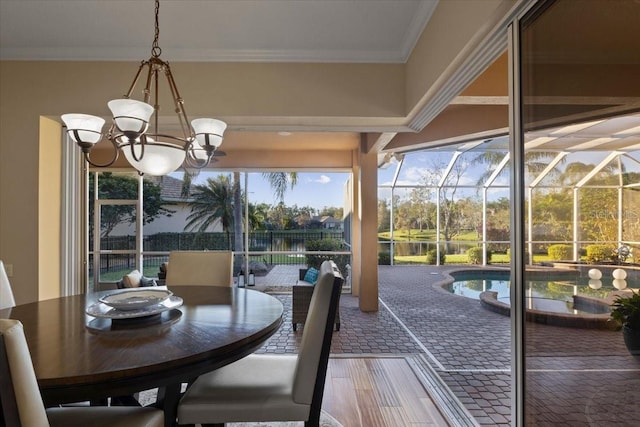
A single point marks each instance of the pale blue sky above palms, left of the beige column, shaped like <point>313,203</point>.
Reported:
<point>314,189</point>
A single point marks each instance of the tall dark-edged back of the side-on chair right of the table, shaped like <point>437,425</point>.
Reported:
<point>313,357</point>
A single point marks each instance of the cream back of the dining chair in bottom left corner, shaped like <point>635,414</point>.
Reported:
<point>19,393</point>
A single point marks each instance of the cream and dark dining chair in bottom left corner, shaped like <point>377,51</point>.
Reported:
<point>21,403</point>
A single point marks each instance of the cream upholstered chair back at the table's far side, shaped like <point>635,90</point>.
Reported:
<point>200,268</point>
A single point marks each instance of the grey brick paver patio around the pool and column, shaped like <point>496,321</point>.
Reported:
<point>575,376</point>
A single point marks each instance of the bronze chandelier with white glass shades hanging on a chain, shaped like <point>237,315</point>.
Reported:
<point>134,131</point>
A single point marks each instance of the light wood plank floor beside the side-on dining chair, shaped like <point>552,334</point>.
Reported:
<point>377,392</point>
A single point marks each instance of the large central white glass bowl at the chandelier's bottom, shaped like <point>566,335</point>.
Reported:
<point>157,160</point>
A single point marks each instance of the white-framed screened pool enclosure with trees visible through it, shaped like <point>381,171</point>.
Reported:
<point>451,204</point>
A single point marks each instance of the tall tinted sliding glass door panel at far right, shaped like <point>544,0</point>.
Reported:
<point>576,70</point>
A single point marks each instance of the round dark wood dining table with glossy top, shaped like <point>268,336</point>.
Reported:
<point>79,356</point>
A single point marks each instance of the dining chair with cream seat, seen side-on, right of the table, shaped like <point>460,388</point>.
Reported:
<point>262,387</point>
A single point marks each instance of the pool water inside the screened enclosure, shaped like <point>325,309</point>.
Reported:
<point>554,295</point>
